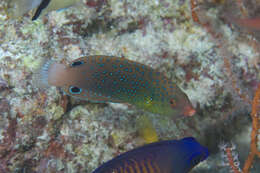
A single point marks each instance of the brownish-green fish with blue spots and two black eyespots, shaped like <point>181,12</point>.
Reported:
<point>114,79</point>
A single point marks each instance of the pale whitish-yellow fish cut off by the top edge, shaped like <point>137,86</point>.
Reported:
<point>20,7</point>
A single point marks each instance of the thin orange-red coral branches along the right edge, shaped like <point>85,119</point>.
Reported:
<point>255,114</point>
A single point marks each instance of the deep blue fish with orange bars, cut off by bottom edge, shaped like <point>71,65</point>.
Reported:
<point>173,156</point>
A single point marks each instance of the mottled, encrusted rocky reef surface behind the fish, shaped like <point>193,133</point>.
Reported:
<point>47,131</point>
